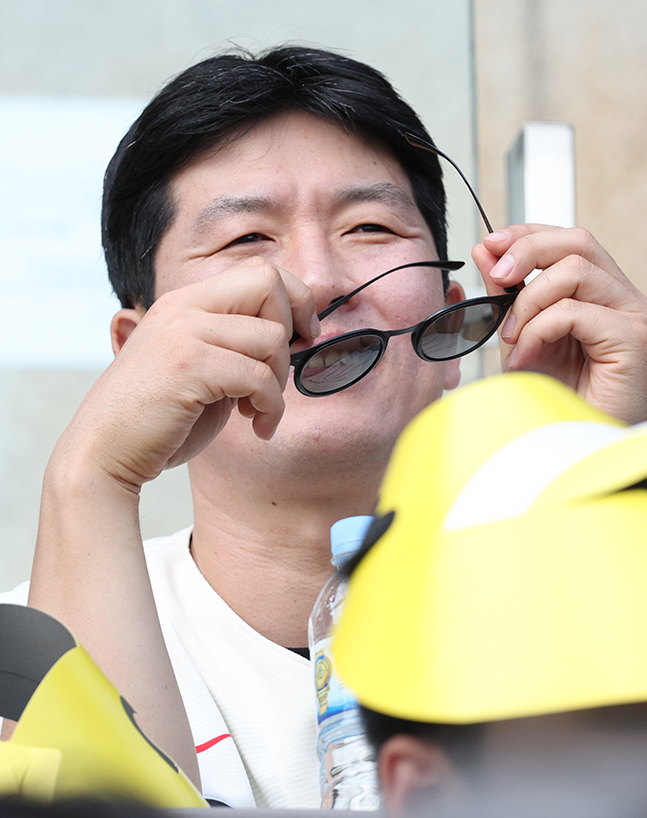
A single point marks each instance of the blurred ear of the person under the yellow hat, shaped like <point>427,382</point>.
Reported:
<point>410,767</point>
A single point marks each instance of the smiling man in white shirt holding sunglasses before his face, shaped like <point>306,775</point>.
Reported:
<point>249,195</point>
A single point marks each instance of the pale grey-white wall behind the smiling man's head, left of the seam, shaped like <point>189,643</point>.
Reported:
<point>94,50</point>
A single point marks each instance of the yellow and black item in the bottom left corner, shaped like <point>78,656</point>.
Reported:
<point>76,736</point>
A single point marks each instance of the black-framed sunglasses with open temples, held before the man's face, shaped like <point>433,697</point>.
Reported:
<point>449,333</point>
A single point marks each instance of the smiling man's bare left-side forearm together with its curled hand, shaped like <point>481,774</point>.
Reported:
<point>180,369</point>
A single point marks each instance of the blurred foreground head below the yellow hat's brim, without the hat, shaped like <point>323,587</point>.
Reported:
<point>588,762</point>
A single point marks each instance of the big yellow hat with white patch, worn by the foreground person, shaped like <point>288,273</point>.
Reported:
<point>512,580</point>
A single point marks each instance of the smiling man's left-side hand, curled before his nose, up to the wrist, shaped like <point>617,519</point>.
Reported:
<point>182,367</point>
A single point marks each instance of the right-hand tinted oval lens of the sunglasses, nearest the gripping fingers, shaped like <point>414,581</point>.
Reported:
<point>460,331</point>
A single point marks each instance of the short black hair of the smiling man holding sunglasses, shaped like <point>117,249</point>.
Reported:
<point>217,100</point>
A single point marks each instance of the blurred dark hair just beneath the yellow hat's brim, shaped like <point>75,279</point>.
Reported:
<point>462,743</point>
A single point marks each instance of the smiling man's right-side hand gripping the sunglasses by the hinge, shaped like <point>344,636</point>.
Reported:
<point>581,320</point>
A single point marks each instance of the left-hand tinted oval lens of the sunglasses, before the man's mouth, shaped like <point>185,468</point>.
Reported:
<point>340,365</point>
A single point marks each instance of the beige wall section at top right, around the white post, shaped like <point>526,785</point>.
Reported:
<point>583,62</point>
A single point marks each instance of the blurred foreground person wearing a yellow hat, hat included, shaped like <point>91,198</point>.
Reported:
<point>496,638</point>
